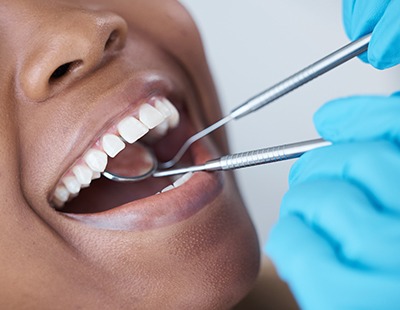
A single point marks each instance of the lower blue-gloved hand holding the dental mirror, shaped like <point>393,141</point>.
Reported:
<point>337,242</point>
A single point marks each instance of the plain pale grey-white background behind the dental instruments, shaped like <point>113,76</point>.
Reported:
<point>253,44</point>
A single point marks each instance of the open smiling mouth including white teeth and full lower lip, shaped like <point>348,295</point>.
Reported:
<point>157,124</point>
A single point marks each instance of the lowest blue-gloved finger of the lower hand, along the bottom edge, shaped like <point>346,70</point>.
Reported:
<point>317,277</point>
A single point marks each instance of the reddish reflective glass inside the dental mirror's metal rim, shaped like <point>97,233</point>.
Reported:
<point>134,160</point>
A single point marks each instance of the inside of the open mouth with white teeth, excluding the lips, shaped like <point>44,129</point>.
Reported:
<point>156,124</point>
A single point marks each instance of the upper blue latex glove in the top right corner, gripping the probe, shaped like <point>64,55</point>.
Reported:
<point>381,17</point>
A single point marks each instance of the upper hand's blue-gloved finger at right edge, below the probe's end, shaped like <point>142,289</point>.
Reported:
<point>383,51</point>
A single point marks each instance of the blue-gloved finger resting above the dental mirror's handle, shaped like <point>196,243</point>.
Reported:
<point>359,118</point>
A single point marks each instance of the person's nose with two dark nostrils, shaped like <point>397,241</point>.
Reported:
<point>72,47</point>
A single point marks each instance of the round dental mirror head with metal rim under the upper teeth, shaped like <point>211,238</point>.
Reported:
<point>136,163</point>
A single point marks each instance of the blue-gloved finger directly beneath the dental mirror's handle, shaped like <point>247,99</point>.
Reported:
<point>372,166</point>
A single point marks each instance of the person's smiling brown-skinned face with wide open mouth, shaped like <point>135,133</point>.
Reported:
<point>76,77</point>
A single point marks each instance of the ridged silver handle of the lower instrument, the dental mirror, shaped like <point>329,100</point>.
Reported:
<point>251,158</point>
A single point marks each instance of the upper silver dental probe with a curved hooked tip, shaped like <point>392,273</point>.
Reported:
<point>280,89</point>
